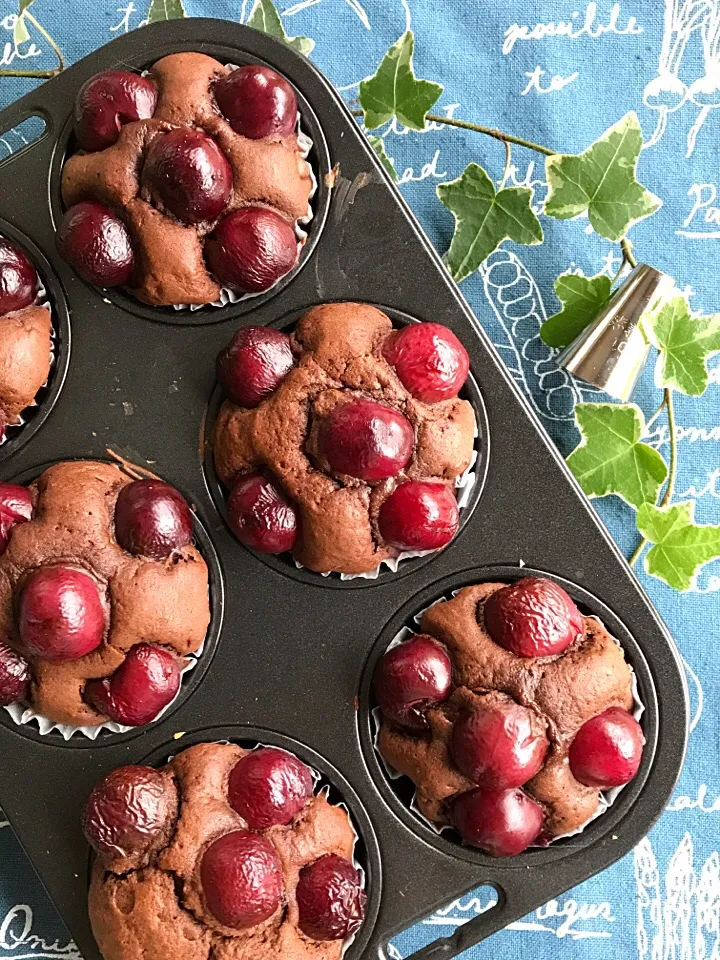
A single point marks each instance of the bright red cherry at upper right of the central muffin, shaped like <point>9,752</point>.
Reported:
<point>429,360</point>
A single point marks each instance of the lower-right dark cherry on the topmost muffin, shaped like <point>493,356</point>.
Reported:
<point>251,249</point>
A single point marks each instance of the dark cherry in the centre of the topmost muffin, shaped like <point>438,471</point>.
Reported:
<point>189,174</point>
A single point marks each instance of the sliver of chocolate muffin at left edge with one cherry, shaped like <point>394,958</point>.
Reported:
<point>25,335</point>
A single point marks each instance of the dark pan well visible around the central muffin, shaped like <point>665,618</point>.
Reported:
<point>469,486</point>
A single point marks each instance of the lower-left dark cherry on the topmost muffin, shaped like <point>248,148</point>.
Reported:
<point>96,243</point>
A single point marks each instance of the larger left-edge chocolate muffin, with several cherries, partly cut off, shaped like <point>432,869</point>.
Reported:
<point>103,597</point>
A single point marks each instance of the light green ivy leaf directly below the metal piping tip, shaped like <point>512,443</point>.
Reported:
<point>612,458</point>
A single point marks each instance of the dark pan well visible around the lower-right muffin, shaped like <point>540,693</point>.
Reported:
<point>402,786</point>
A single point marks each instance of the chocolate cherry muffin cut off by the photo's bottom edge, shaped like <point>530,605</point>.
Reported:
<point>222,853</point>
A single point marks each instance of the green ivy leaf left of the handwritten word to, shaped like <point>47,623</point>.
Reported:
<point>395,91</point>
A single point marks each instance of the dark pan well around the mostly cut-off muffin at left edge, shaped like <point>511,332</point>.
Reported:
<point>52,296</point>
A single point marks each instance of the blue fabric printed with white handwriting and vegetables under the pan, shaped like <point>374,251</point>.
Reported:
<point>558,72</point>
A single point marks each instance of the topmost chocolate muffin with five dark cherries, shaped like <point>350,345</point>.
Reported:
<point>188,180</point>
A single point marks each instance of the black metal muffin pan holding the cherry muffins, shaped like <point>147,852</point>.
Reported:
<point>295,650</point>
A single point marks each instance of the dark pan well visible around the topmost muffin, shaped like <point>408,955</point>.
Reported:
<point>317,156</point>
